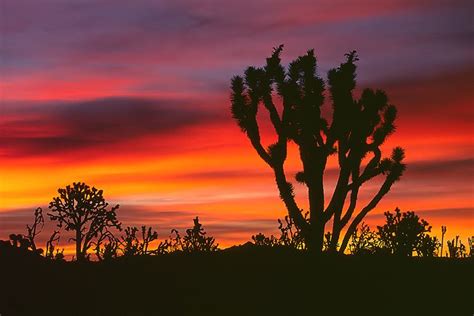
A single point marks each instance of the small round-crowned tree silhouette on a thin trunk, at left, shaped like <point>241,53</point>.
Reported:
<point>83,210</point>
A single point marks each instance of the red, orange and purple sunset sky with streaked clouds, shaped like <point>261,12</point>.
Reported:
<point>133,98</point>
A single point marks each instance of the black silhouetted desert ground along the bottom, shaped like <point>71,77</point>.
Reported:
<point>239,282</point>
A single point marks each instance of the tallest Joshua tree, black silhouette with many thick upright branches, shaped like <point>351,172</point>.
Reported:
<point>354,135</point>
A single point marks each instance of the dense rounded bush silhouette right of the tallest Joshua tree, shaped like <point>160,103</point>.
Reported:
<point>404,233</point>
